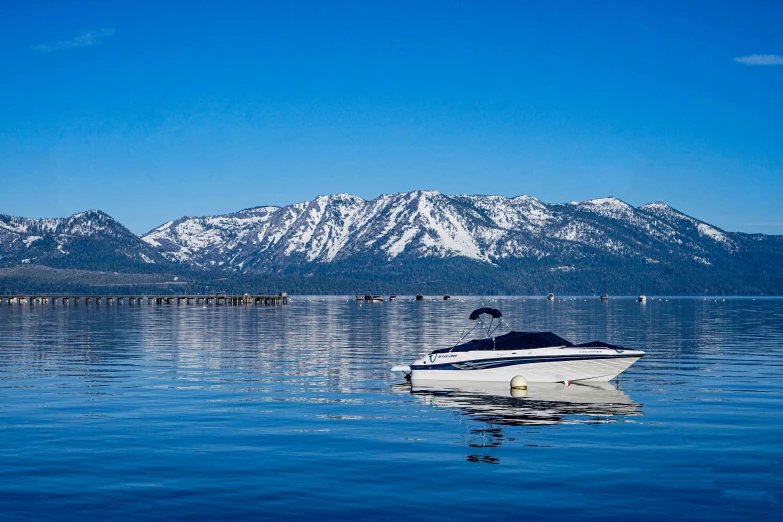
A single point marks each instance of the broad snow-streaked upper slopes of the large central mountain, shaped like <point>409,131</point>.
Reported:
<point>427,224</point>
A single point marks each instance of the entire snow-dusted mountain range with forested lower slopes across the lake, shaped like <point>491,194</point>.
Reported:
<point>421,241</point>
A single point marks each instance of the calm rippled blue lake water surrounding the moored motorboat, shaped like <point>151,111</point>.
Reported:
<point>186,412</point>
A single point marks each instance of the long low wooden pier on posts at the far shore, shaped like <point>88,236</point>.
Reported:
<point>219,300</point>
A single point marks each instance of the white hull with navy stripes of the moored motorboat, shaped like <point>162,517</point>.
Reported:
<point>534,368</point>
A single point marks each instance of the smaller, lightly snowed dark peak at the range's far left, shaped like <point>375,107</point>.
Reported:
<point>91,240</point>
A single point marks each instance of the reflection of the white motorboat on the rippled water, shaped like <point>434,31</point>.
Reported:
<point>486,407</point>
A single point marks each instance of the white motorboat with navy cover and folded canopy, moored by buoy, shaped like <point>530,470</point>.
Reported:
<point>536,356</point>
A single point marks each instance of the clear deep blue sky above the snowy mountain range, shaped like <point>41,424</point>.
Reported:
<point>151,111</point>
